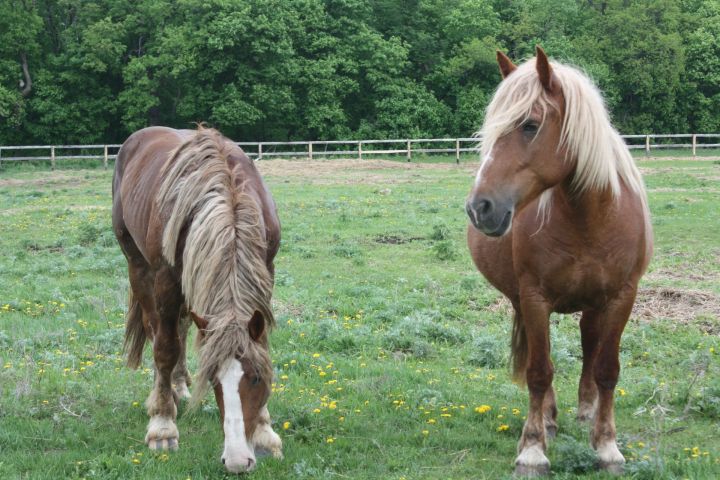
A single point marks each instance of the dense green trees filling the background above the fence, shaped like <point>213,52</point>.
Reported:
<point>78,71</point>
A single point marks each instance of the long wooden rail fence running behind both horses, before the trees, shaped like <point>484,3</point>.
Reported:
<point>356,148</point>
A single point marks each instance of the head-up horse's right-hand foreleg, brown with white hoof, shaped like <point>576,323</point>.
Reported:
<point>606,371</point>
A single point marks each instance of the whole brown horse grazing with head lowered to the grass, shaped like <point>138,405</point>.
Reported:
<point>199,230</point>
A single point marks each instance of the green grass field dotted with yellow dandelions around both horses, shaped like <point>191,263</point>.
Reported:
<point>390,352</point>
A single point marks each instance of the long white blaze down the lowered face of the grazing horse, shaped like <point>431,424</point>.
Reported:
<point>238,456</point>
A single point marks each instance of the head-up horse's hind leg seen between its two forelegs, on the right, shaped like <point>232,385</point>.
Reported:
<point>590,332</point>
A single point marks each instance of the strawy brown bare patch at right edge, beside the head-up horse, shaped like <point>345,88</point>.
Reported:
<point>681,305</point>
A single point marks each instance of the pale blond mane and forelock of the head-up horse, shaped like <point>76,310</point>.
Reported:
<point>602,160</point>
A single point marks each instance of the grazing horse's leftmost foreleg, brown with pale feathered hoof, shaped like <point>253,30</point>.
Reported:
<point>162,433</point>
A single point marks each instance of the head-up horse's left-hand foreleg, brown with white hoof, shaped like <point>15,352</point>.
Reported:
<point>531,459</point>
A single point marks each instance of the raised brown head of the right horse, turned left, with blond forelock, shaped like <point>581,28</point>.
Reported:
<point>522,148</point>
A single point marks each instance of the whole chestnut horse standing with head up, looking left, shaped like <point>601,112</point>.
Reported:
<point>560,223</point>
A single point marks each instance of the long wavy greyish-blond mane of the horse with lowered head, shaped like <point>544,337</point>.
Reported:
<point>224,275</point>
